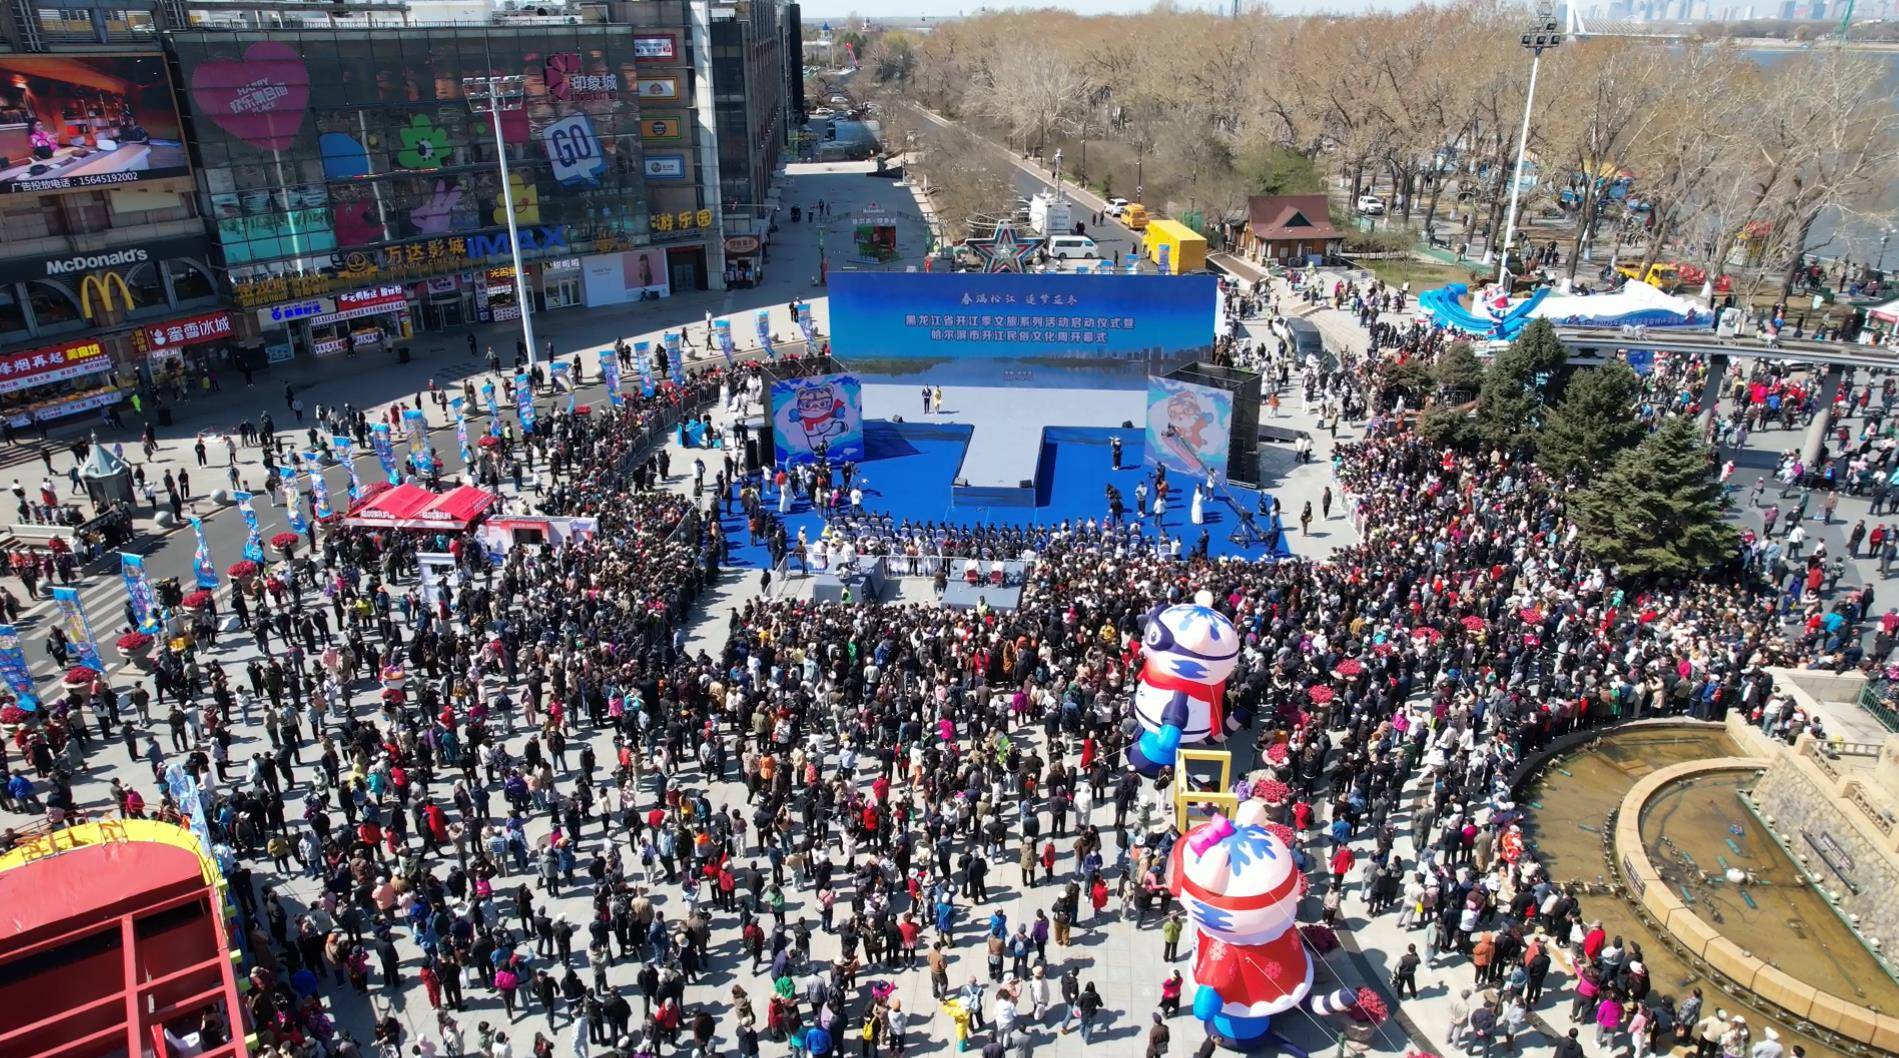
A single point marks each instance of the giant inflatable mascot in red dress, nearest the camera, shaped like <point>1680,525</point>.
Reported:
<point>1241,892</point>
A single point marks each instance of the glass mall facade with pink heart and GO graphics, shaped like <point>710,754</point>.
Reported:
<point>335,161</point>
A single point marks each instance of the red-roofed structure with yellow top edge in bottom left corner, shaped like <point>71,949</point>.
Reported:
<point>113,943</point>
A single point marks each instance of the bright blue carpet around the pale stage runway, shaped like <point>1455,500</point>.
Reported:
<point>911,468</point>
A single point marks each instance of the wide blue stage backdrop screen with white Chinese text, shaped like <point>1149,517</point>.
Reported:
<point>958,316</point>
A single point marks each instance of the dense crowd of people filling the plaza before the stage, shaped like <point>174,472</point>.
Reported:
<point>837,793</point>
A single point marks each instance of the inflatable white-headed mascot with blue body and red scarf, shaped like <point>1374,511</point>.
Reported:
<point>1188,654</point>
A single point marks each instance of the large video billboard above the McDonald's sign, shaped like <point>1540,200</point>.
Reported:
<point>79,123</point>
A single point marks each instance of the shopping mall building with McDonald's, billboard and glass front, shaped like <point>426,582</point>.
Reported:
<point>305,179</point>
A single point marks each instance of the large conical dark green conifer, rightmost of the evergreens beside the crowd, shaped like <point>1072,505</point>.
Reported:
<point>1657,514</point>
